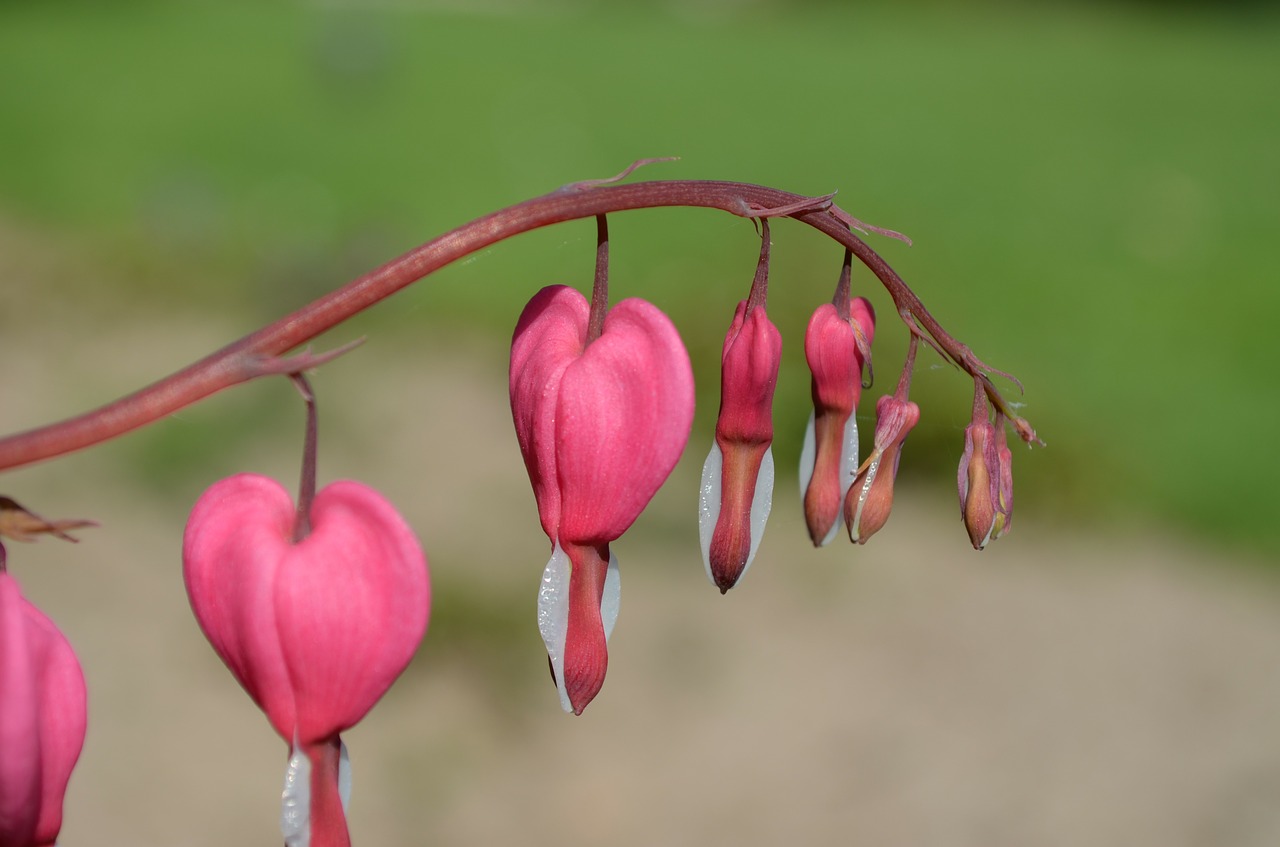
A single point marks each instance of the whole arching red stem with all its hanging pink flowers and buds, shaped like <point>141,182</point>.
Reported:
<point>317,607</point>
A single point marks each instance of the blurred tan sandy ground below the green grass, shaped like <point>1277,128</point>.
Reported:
<point>1059,689</point>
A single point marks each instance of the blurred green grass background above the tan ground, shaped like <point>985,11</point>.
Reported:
<point>1091,189</point>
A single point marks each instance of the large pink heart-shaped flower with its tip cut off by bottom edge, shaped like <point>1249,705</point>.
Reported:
<point>314,630</point>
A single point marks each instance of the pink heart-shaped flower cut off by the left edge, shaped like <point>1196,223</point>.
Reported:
<point>43,712</point>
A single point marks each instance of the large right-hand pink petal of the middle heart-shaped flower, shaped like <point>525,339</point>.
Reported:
<point>624,416</point>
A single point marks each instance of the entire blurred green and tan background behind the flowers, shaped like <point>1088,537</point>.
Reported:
<point>1091,189</point>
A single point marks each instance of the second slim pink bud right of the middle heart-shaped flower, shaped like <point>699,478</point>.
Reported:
<point>836,350</point>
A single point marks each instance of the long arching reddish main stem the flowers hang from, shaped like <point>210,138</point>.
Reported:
<point>243,360</point>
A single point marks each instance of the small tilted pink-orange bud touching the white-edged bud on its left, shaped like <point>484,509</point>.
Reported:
<point>871,498</point>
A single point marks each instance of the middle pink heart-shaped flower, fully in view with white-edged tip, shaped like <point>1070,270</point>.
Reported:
<point>601,425</point>
